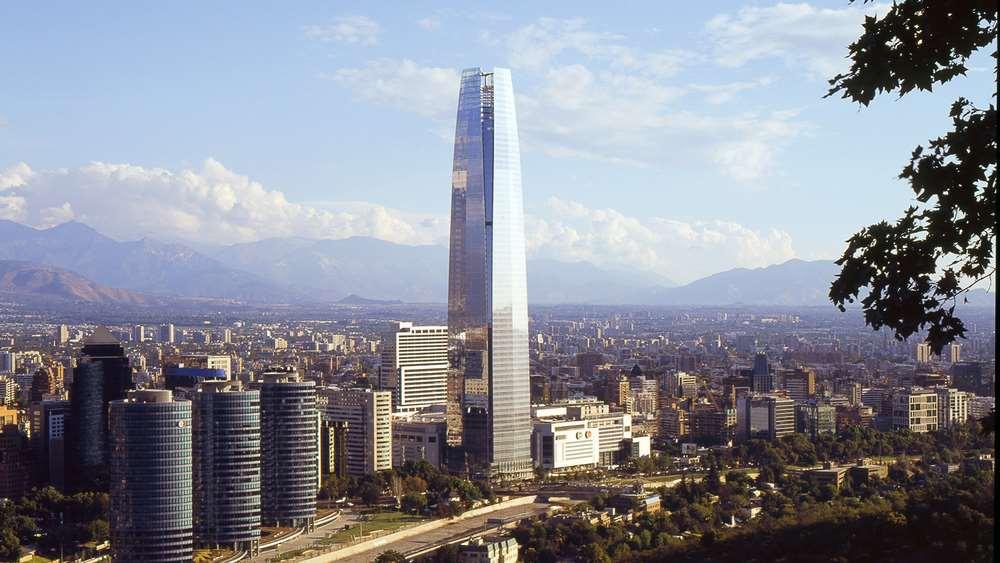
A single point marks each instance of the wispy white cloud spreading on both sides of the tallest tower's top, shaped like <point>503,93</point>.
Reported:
<point>615,103</point>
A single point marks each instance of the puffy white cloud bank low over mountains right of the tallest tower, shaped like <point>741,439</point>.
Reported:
<point>679,250</point>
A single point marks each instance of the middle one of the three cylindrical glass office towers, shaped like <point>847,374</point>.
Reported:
<point>226,450</point>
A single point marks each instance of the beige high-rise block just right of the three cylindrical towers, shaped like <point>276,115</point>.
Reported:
<point>368,415</point>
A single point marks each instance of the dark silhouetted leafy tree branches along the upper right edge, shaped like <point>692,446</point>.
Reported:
<point>917,268</point>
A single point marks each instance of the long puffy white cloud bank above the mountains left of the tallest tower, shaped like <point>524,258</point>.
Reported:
<point>208,204</point>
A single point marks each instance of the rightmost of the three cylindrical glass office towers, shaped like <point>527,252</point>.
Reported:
<point>289,449</point>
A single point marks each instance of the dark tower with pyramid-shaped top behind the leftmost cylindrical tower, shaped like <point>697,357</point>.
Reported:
<point>102,375</point>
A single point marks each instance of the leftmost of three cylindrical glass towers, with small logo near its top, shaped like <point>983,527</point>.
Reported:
<point>150,464</point>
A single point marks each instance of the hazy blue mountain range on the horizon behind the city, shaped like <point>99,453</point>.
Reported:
<point>77,262</point>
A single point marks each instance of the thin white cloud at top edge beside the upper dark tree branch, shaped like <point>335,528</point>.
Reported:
<point>803,35</point>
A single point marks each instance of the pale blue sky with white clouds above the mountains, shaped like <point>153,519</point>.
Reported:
<point>680,137</point>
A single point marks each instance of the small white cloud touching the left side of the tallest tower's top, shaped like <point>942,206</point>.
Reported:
<point>405,85</point>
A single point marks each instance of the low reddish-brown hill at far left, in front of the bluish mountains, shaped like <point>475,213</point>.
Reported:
<point>28,278</point>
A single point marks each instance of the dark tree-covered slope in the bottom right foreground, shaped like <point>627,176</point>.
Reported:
<point>911,516</point>
